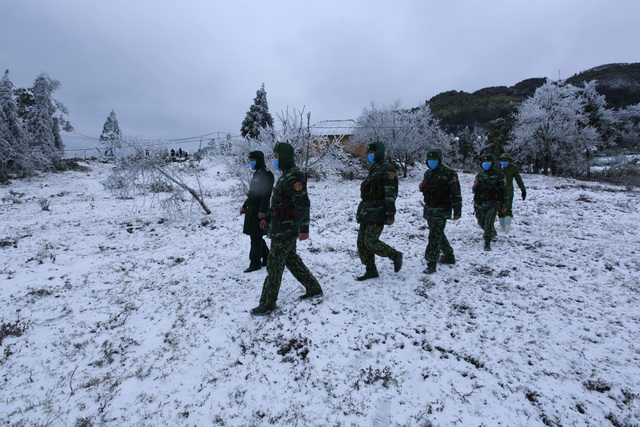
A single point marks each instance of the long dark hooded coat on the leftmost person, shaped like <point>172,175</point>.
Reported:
<point>258,196</point>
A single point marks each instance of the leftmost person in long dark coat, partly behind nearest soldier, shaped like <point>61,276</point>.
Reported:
<point>255,209</point>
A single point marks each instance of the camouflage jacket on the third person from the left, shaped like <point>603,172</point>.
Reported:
<point>378,191</point>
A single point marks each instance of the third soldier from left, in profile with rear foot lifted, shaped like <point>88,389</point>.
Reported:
<point>378,191</point>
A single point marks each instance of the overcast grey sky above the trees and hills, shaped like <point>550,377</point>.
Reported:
<point>182,68</point>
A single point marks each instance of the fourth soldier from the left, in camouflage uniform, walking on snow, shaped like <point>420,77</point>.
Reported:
<point>441,190</point>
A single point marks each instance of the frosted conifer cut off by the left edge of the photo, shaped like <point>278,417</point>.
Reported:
<point>12,142</point>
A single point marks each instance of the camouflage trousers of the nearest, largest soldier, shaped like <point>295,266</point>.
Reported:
<point>283,254</point>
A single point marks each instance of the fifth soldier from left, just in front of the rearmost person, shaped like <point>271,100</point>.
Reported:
<point>490,196</point>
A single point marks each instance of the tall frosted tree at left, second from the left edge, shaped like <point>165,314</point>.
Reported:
<point>43,125</point>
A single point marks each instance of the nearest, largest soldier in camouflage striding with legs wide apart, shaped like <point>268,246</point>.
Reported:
<point>287,217</point>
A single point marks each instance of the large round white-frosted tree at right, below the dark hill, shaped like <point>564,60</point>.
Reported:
<point>553,131</point>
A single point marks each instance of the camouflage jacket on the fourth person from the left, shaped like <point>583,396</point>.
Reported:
<point>441,190</point>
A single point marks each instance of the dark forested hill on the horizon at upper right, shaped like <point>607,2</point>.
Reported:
<point>619,83</point>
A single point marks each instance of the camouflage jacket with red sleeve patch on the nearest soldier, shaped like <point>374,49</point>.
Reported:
<point>290,205</point>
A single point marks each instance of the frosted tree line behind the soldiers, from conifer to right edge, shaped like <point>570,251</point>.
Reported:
<point>555,130</point>
